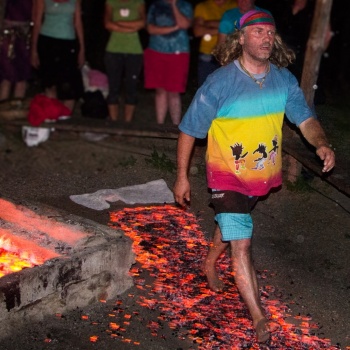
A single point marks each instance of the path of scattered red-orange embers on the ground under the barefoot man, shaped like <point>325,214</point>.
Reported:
<point>169,244</point>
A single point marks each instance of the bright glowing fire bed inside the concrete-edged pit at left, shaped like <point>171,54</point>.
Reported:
<point>18,248</point>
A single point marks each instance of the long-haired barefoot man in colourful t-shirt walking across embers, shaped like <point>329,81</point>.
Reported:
<point>241,107</point>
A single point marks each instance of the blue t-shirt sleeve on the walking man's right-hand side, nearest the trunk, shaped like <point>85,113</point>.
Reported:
<point>297,109</point>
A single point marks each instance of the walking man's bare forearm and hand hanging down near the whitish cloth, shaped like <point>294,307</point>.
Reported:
<point>181,188</point>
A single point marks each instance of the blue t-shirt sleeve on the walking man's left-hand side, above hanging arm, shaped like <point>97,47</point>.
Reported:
<point>202,111</point>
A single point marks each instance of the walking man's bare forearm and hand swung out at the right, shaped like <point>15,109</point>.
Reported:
<point>315,135</point>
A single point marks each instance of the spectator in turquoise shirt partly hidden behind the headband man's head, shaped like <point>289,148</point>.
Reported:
<point>230,19</point>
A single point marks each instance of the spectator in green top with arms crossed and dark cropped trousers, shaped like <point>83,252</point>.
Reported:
<point>123,58</point>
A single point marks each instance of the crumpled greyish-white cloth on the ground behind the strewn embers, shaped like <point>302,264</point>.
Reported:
<point>149,193</point>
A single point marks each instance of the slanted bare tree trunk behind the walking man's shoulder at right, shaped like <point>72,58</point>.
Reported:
<point>315,48</point>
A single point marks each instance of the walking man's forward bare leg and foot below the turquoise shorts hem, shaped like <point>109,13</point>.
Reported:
<point>247,284</point>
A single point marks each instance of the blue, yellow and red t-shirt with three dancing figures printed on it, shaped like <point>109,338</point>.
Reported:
<point>243,123</point>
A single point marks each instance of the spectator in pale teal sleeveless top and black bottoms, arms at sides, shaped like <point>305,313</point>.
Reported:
<point>58,49</point>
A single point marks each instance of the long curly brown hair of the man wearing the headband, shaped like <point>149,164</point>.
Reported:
<point>231,50</point>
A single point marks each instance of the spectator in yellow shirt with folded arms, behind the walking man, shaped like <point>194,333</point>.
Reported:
<point>207,16</point>
